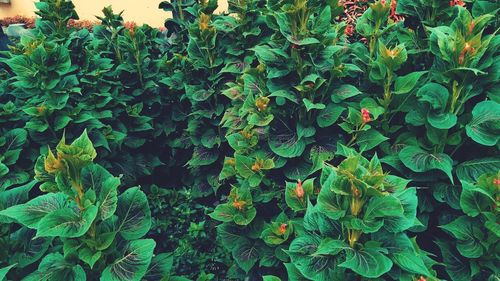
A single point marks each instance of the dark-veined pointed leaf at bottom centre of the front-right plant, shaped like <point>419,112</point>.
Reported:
<point>367,262</point>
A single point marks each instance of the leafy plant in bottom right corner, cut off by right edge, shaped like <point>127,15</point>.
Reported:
<point>474,254</point>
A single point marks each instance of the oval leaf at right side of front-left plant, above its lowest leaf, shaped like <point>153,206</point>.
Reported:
<point>134,215</point>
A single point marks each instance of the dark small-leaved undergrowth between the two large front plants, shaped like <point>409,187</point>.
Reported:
<point>179,218</point>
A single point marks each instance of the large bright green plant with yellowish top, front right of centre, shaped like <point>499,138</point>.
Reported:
<point>357,226</point>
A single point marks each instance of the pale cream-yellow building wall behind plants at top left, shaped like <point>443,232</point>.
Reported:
<point>139,11</point>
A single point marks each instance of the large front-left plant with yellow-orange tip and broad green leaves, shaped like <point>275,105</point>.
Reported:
<point>100,231</point>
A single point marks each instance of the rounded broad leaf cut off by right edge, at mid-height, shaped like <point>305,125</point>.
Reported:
<point>484,128</point>
